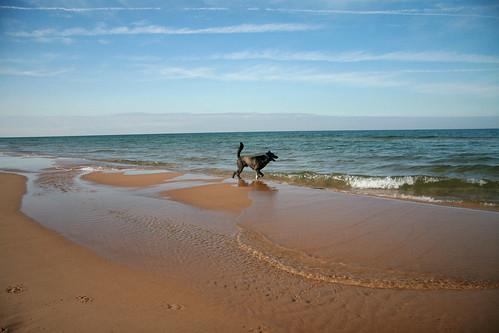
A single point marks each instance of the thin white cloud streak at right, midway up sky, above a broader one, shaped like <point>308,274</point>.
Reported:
<point>359,56</point>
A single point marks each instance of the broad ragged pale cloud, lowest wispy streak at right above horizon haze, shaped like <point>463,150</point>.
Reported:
<point>378,79</point>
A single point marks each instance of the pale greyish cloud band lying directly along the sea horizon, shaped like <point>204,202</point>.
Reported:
<point>143,123</point>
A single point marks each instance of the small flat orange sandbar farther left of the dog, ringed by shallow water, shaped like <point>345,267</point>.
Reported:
<point>124,180</point>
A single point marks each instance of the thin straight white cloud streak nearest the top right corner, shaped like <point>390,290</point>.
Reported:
<point>392,12</point>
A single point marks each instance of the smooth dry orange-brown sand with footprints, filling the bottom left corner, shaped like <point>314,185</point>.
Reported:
<point>50,284</point>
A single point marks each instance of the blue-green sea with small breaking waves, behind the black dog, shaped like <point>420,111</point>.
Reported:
<point>460,166</point>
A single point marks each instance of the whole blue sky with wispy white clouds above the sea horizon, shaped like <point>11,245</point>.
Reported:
<point>220,60</point>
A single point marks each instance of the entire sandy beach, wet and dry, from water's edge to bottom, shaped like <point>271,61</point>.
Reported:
<point>110,251</point>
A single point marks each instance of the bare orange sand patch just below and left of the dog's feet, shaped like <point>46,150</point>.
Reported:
<point>219,197</point>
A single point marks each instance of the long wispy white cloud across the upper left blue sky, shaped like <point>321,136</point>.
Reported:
<point>162,30</point>
